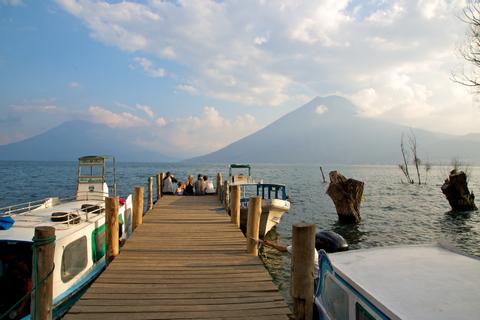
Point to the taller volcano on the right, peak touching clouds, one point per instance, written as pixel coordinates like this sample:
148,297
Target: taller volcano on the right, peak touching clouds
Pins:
328,130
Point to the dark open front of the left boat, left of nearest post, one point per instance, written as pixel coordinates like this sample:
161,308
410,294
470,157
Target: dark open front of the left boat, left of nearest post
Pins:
15,278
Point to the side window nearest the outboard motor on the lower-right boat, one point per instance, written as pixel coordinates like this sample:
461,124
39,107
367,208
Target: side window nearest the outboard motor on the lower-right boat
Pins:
335,299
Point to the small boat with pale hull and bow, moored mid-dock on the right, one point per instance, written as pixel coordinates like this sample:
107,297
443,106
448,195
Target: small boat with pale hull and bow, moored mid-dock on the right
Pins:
274,204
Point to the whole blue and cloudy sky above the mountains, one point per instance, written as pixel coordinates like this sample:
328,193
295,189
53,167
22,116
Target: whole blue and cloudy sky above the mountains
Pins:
202,74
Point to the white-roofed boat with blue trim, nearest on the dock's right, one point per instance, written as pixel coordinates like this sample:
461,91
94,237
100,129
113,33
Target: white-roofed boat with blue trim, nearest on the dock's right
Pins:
404,282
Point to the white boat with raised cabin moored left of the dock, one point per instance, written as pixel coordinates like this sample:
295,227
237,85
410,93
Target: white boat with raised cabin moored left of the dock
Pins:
79,223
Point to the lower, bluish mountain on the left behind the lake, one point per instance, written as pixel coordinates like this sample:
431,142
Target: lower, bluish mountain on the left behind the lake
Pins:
73,139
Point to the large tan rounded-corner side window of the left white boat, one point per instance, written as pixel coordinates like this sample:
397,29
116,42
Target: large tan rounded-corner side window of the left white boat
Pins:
74,259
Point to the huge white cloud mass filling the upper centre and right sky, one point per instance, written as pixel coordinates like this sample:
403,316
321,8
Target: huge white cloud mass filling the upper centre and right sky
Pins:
391,57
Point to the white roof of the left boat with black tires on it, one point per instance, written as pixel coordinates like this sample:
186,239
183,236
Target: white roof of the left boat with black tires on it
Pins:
24,227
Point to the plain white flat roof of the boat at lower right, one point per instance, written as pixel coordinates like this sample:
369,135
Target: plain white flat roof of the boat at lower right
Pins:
414,282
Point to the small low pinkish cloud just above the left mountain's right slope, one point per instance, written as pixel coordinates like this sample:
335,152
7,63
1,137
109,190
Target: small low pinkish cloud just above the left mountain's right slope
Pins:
115,120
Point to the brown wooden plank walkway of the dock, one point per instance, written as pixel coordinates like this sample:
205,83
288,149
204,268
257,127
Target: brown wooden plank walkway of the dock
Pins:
186,261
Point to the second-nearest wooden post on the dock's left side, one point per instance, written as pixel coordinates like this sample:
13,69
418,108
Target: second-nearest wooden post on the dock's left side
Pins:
111,228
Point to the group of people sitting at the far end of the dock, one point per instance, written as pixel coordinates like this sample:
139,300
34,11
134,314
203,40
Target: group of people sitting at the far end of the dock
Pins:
188,187
